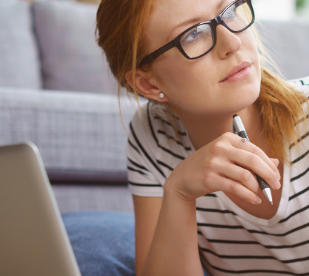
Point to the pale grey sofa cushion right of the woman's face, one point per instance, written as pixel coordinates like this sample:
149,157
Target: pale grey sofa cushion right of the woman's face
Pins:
288,42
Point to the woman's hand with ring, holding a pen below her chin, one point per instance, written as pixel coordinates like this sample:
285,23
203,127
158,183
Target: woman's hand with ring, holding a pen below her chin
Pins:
222,166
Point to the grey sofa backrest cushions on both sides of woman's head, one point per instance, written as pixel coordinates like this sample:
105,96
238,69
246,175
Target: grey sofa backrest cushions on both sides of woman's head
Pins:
61,53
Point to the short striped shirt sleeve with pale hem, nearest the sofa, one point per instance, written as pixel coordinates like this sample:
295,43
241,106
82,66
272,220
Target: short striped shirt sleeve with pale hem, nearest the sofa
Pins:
144,177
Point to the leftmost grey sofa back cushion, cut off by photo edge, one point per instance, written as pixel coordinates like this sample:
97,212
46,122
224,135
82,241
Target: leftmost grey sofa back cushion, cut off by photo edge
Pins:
19,63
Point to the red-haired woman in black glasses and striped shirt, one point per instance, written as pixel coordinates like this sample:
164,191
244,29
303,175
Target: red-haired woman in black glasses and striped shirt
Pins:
197,202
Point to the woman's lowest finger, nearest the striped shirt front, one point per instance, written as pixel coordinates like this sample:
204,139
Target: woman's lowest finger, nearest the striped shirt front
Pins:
233,187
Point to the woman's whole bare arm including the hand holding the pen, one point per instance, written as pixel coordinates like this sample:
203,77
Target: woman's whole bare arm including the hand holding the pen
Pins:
166,233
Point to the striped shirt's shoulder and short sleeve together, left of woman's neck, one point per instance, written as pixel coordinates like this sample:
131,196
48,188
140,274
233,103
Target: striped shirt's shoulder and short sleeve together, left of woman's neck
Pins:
151,154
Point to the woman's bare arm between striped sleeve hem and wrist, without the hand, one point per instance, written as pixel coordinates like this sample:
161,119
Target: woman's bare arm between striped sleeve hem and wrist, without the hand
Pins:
167,226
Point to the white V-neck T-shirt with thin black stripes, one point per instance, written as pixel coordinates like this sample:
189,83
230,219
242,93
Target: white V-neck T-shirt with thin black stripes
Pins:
231,241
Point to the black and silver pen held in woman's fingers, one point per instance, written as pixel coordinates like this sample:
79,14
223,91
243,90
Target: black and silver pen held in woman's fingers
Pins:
239,129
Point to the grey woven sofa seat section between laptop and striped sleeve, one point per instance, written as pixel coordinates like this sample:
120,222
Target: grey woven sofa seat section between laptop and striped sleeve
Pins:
80,135
